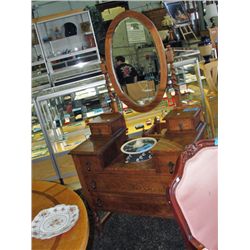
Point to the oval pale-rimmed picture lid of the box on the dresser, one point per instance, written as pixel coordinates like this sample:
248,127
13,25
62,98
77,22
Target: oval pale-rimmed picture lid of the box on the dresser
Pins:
138,146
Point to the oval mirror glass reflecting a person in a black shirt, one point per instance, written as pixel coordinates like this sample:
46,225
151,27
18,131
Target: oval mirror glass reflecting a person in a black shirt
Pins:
135,61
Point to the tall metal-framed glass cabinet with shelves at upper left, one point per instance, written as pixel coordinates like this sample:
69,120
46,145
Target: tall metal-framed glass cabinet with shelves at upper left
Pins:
63,47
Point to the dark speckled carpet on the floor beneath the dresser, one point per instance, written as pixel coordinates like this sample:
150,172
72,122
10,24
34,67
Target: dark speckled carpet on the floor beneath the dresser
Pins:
128,232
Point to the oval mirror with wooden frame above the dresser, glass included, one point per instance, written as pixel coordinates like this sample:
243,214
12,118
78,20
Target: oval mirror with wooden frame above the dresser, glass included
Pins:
136,61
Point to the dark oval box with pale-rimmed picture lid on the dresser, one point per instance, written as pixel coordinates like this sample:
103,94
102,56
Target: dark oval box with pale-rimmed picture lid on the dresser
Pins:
138,150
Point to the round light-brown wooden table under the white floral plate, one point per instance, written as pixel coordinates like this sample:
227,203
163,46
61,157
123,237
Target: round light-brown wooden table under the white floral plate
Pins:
48,194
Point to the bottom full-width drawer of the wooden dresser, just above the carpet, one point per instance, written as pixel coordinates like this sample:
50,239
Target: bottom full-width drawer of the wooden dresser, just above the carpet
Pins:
145,205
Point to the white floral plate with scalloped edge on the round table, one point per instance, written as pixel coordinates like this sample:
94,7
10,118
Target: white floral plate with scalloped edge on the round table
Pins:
54,221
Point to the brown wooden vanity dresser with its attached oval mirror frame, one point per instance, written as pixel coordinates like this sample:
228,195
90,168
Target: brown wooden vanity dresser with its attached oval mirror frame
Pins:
139,188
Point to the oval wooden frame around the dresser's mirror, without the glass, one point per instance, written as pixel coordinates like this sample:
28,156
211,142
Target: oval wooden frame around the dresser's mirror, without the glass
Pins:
161,56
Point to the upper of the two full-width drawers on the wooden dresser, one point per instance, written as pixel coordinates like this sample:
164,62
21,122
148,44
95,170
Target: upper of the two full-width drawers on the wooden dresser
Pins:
128,183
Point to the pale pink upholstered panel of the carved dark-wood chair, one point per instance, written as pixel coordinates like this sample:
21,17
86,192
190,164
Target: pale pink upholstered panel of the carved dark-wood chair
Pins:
196,195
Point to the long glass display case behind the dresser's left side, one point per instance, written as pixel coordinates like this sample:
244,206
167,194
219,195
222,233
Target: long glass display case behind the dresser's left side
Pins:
63,114
